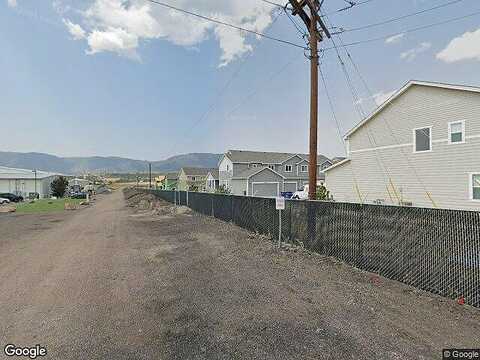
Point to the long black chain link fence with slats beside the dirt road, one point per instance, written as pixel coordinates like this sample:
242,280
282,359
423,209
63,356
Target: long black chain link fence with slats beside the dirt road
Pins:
431,249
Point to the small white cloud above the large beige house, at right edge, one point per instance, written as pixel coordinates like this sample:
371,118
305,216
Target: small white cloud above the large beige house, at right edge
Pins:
465,47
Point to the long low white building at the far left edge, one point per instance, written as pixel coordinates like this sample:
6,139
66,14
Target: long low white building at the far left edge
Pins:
24,182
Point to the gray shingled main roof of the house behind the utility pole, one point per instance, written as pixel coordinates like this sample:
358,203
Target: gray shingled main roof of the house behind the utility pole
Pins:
264,157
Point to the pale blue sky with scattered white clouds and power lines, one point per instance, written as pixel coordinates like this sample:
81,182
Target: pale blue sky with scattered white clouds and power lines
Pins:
134,79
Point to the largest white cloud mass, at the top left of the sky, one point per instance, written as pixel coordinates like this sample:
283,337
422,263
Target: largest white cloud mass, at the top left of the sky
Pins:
120,25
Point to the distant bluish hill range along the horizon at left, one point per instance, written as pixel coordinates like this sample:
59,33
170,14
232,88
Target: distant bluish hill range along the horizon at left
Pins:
78,165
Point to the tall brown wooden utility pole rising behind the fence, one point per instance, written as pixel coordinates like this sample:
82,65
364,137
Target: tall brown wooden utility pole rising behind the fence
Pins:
312,22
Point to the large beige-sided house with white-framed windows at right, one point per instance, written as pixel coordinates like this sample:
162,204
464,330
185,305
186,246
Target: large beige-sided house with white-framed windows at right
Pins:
421,148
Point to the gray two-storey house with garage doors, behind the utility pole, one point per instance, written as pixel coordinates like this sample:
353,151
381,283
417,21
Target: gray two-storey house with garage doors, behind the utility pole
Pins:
256,173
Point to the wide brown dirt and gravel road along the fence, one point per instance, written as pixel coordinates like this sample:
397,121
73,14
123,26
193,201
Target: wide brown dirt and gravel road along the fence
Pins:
111,282
